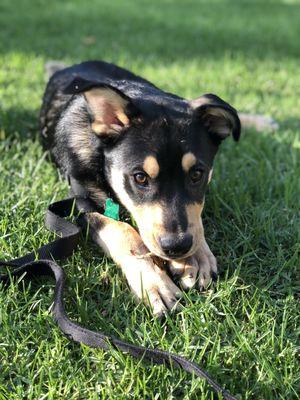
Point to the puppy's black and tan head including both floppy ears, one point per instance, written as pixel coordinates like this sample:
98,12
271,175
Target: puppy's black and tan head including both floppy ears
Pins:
159,166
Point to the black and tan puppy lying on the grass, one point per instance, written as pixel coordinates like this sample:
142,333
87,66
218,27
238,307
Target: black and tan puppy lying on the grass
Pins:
121,137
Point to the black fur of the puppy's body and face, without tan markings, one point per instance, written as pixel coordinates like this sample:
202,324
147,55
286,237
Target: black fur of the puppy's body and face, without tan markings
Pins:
161,123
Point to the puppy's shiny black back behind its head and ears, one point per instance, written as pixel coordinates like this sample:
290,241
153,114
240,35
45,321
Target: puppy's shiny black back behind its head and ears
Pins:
147,96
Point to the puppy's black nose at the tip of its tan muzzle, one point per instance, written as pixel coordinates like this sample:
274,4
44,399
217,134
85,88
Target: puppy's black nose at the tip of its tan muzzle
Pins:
174,245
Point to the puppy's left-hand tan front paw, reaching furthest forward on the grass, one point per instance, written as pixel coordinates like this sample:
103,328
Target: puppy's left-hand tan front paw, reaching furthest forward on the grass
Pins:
152,285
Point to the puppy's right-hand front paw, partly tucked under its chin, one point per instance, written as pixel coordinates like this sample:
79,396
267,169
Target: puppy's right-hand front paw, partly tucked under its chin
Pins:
199,268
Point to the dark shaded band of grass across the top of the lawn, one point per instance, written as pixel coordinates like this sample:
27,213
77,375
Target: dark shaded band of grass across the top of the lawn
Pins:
174,31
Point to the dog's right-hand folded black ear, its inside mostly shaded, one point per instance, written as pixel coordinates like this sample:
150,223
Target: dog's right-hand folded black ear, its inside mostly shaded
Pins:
219,117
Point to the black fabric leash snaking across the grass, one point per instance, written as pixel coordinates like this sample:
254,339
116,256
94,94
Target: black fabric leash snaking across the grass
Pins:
63,247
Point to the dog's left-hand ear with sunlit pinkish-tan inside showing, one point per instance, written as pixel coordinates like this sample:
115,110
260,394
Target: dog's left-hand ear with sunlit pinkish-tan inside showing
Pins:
110,109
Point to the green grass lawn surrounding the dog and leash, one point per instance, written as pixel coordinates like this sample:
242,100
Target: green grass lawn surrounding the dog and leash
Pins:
246,333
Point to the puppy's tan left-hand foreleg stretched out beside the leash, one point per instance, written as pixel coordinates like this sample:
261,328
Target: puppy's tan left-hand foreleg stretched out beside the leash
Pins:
124,245
